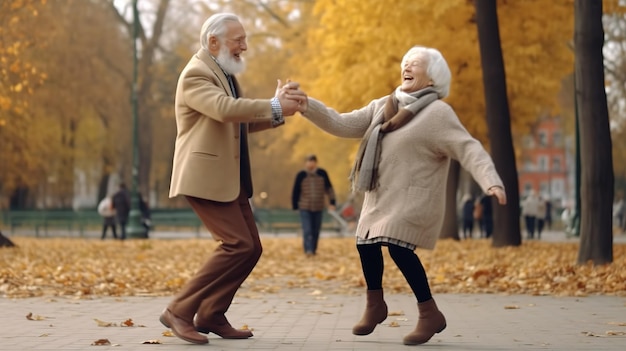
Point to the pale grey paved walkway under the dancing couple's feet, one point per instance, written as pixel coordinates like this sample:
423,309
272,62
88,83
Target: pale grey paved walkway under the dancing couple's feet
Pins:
310,320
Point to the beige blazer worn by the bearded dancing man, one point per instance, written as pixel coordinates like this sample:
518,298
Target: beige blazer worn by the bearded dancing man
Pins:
207,151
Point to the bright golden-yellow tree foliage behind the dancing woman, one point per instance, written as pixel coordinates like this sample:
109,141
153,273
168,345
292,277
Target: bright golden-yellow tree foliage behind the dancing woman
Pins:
353,56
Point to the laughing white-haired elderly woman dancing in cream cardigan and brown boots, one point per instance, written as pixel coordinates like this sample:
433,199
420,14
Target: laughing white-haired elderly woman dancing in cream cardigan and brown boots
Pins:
407,141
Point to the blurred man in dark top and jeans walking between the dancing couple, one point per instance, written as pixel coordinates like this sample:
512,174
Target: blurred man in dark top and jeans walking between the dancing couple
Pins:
310,187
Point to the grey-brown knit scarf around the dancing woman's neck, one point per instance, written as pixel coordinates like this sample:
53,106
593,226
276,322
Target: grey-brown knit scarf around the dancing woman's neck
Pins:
364,174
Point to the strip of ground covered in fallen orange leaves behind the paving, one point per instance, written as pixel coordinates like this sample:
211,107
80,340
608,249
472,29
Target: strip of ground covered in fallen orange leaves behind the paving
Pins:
92,268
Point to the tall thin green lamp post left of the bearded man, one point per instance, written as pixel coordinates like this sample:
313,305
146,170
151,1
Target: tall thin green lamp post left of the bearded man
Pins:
135,228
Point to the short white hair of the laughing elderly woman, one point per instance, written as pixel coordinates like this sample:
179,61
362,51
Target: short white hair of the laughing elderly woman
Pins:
437,68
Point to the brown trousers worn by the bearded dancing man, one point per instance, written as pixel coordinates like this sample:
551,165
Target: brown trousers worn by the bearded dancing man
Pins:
210,292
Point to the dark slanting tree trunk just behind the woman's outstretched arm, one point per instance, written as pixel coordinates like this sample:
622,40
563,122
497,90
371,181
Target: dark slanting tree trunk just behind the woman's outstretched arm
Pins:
506,218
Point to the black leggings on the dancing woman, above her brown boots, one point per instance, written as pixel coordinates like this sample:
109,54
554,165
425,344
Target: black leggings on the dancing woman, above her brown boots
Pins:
407,261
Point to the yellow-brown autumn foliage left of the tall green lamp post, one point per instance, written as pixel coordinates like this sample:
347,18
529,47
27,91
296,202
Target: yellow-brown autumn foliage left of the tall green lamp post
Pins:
61,100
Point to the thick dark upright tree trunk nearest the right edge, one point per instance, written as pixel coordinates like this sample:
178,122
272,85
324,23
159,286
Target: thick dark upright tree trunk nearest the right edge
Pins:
596,226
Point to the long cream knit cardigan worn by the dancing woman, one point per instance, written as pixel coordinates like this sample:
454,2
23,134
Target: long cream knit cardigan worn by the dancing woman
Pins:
409,202
